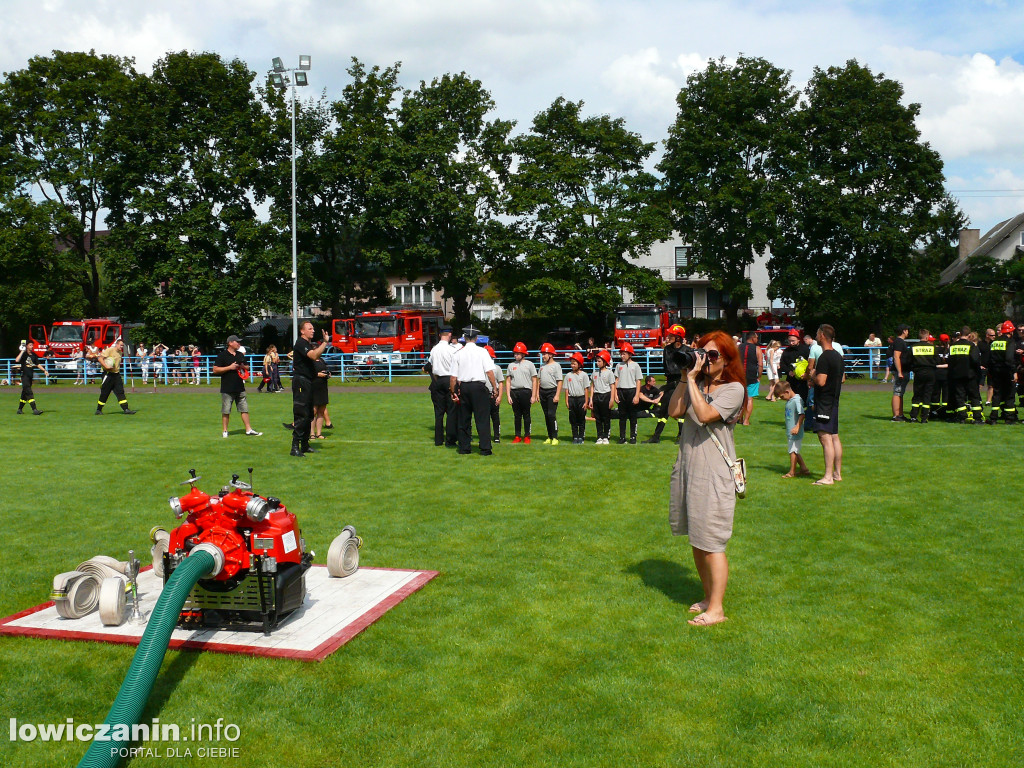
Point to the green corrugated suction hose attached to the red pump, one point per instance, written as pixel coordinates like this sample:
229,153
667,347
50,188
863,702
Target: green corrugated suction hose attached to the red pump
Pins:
136,690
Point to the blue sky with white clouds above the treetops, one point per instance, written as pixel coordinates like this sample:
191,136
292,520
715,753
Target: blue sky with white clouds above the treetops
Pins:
963,62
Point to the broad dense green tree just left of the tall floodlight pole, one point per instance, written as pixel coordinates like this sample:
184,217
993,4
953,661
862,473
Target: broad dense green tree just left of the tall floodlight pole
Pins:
188,253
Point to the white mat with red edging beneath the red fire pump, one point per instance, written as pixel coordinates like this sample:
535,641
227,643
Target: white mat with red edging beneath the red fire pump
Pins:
335,611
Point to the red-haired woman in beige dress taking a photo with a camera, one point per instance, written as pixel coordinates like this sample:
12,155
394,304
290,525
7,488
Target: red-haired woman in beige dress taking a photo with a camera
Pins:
703,494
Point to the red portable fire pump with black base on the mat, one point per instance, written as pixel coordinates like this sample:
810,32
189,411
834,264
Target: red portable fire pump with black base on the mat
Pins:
263,580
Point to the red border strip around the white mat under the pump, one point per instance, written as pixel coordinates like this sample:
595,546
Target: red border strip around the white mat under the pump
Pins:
319,654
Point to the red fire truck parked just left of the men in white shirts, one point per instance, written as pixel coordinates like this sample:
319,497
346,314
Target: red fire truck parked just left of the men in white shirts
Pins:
402,336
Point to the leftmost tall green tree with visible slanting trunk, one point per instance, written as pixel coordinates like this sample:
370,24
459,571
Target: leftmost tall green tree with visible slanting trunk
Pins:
54,122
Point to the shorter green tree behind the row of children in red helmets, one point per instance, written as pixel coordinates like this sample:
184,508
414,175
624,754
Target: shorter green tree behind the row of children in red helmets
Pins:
586,210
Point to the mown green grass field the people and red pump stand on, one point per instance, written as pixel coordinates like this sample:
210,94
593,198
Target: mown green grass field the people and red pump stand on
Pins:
877,623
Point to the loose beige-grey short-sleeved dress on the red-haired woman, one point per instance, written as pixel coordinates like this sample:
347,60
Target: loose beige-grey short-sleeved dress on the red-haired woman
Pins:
703,496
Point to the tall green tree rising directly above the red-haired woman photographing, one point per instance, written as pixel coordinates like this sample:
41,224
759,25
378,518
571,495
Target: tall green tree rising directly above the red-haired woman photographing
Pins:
727,169
